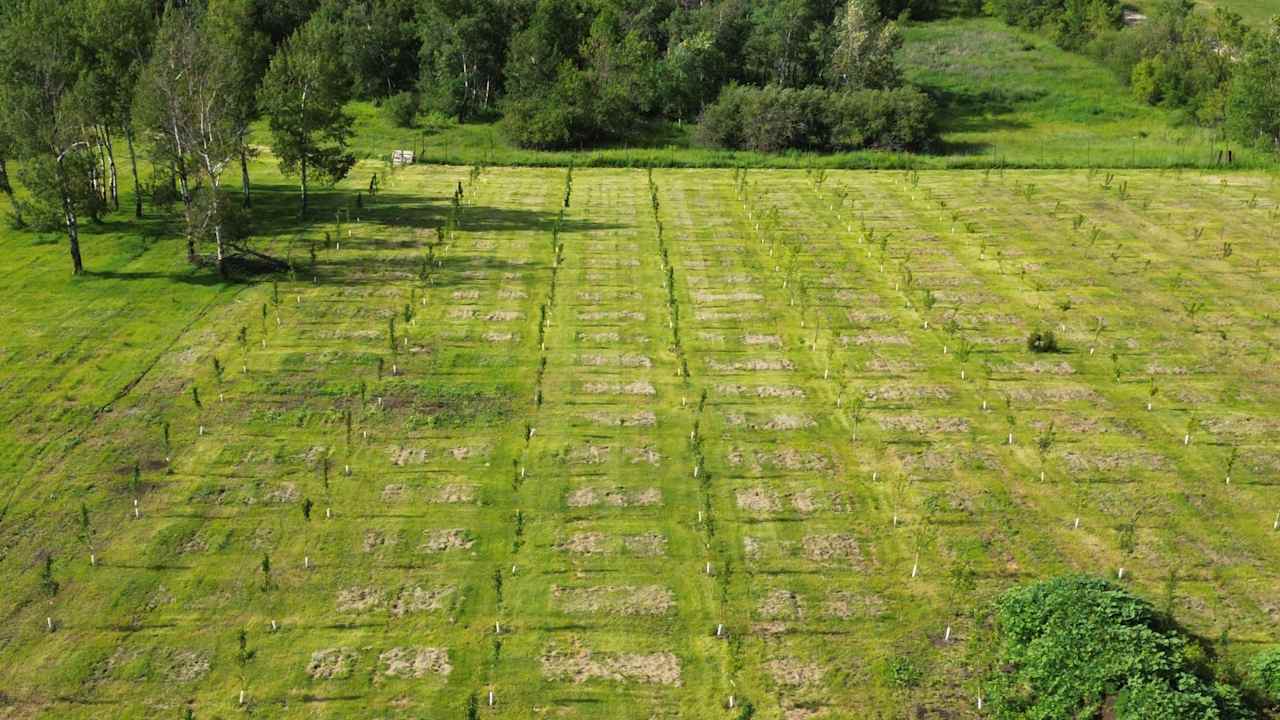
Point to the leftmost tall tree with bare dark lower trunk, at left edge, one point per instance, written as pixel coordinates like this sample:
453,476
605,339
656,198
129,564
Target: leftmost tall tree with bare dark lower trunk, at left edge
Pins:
38,80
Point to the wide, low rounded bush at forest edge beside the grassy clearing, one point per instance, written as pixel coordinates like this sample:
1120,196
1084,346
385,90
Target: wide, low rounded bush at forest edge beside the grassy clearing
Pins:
775,119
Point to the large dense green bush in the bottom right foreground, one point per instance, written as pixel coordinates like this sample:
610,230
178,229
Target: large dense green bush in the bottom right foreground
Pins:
1076,645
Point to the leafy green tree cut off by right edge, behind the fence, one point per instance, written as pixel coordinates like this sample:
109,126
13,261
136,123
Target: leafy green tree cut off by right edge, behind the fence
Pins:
1254,107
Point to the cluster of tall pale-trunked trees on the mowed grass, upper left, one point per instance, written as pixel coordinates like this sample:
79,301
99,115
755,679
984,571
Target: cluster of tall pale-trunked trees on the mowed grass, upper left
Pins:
180,85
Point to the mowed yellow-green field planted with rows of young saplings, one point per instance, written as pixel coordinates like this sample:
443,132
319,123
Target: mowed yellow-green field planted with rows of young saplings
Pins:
561,485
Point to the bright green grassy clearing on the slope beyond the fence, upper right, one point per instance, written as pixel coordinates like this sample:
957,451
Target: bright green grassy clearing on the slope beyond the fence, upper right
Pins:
1013,95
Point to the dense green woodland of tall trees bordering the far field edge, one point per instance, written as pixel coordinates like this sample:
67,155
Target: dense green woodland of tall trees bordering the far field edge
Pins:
86,84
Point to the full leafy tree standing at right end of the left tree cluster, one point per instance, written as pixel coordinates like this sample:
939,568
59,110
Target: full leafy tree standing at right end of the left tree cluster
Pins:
303,97
